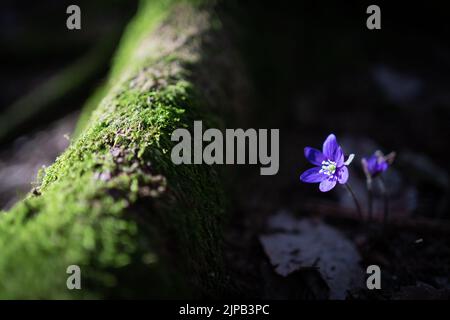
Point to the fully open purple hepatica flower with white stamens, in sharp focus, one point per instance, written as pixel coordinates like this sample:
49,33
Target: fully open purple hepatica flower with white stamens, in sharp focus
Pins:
330,166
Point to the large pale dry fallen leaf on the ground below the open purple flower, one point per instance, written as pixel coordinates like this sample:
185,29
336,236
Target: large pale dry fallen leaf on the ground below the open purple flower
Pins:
306,243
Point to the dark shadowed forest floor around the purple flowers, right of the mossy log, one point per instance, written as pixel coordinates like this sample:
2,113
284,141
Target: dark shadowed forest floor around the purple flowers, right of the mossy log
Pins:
384,91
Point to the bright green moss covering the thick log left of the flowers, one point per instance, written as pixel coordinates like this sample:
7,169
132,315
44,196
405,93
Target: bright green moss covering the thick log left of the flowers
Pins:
115,204
